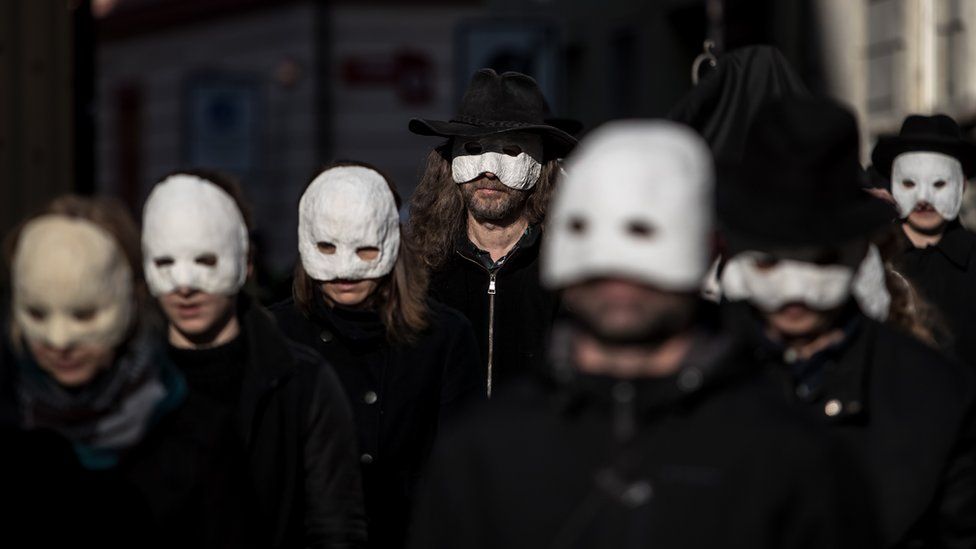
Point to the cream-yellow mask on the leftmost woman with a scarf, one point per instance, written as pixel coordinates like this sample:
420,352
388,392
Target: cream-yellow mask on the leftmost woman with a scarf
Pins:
72,285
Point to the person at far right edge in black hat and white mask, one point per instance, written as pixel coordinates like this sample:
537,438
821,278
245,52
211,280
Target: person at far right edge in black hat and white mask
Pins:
927,165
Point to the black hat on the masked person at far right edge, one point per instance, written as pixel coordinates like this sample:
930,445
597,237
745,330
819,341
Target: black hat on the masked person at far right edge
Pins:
938,133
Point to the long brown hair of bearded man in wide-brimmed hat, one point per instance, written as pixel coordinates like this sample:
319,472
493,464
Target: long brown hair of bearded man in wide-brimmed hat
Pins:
437,214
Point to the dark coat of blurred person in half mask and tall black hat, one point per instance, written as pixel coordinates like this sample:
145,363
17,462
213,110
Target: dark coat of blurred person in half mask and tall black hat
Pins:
906,412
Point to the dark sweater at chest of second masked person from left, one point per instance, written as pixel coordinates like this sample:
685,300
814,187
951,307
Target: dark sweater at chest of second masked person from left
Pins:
217,372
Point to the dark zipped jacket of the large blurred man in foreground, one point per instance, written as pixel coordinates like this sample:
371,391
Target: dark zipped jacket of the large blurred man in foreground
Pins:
709,457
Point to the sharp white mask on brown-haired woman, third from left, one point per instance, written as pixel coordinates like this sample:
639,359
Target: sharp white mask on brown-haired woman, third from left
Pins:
346,210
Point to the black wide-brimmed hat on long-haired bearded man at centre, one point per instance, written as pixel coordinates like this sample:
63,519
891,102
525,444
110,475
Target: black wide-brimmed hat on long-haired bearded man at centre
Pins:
498,103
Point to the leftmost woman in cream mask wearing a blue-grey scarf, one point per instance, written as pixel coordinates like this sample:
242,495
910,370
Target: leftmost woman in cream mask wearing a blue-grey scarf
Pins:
153,463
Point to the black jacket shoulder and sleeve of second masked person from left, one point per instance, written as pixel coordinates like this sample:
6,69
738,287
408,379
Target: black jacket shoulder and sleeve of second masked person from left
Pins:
298,429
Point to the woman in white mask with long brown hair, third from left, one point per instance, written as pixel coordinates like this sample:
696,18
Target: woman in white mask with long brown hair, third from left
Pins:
360,300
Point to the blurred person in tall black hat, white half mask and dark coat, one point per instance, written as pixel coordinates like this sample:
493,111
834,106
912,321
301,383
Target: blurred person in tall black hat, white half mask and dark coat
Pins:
798,227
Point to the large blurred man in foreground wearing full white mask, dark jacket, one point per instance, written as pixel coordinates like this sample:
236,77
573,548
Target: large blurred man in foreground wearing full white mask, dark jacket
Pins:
654,429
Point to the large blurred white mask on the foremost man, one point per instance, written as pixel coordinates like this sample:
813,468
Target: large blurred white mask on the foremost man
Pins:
636,203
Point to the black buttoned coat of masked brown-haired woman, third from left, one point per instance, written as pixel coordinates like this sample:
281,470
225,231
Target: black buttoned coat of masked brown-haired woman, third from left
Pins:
400,395
